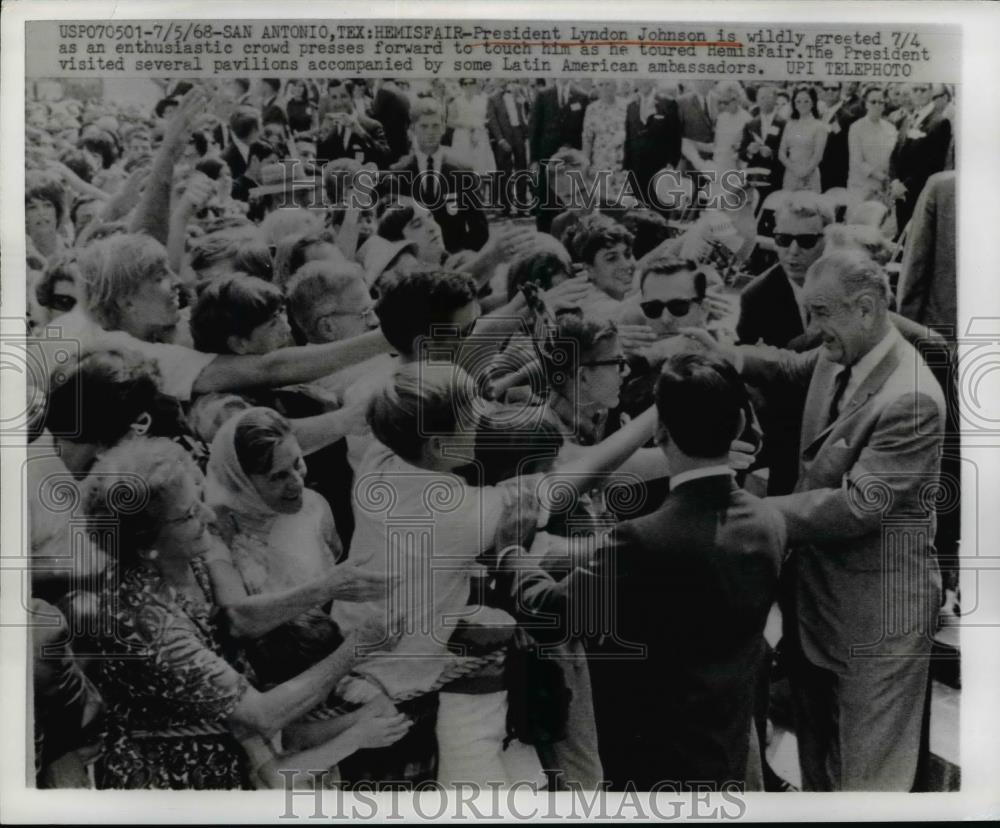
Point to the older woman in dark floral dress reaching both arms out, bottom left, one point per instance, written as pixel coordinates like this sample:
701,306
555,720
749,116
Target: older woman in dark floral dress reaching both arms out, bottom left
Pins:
182,710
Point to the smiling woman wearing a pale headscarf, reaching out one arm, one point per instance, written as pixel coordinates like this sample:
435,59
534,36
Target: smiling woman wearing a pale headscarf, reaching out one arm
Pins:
283,546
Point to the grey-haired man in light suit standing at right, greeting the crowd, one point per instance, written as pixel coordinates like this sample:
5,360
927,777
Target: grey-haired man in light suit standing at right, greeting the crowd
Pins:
865,580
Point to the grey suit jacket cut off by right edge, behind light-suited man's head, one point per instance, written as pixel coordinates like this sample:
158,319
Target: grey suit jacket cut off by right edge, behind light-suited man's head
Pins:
927,279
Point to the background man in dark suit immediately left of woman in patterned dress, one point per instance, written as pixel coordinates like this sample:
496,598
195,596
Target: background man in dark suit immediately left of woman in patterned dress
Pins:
556,121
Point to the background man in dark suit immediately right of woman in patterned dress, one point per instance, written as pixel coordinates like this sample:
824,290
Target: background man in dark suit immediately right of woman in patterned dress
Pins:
652,137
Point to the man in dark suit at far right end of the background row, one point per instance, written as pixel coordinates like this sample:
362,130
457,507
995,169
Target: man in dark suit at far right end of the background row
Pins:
921,147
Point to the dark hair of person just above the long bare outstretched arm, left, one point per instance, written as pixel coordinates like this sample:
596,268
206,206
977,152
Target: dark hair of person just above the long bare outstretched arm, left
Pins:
232,305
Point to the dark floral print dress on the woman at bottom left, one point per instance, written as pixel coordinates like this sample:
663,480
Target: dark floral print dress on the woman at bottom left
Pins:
169,682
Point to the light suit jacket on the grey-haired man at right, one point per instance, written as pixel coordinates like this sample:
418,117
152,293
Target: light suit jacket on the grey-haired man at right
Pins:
861,519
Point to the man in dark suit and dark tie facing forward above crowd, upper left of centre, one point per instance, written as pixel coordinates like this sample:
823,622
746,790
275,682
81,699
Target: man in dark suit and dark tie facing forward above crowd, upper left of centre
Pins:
448,188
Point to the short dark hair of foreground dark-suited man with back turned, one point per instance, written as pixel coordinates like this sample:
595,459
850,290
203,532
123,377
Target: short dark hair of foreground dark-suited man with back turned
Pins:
699,399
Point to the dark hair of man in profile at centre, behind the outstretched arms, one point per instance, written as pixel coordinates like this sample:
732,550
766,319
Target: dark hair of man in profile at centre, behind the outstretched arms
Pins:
413,305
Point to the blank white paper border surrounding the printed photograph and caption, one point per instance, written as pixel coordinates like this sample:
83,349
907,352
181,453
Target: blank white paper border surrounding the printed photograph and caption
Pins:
979,223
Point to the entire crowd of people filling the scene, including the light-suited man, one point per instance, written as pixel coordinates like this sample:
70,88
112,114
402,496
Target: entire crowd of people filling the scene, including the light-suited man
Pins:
375,471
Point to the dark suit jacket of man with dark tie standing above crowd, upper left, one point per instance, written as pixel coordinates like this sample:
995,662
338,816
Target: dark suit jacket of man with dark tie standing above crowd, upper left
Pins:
460,216
